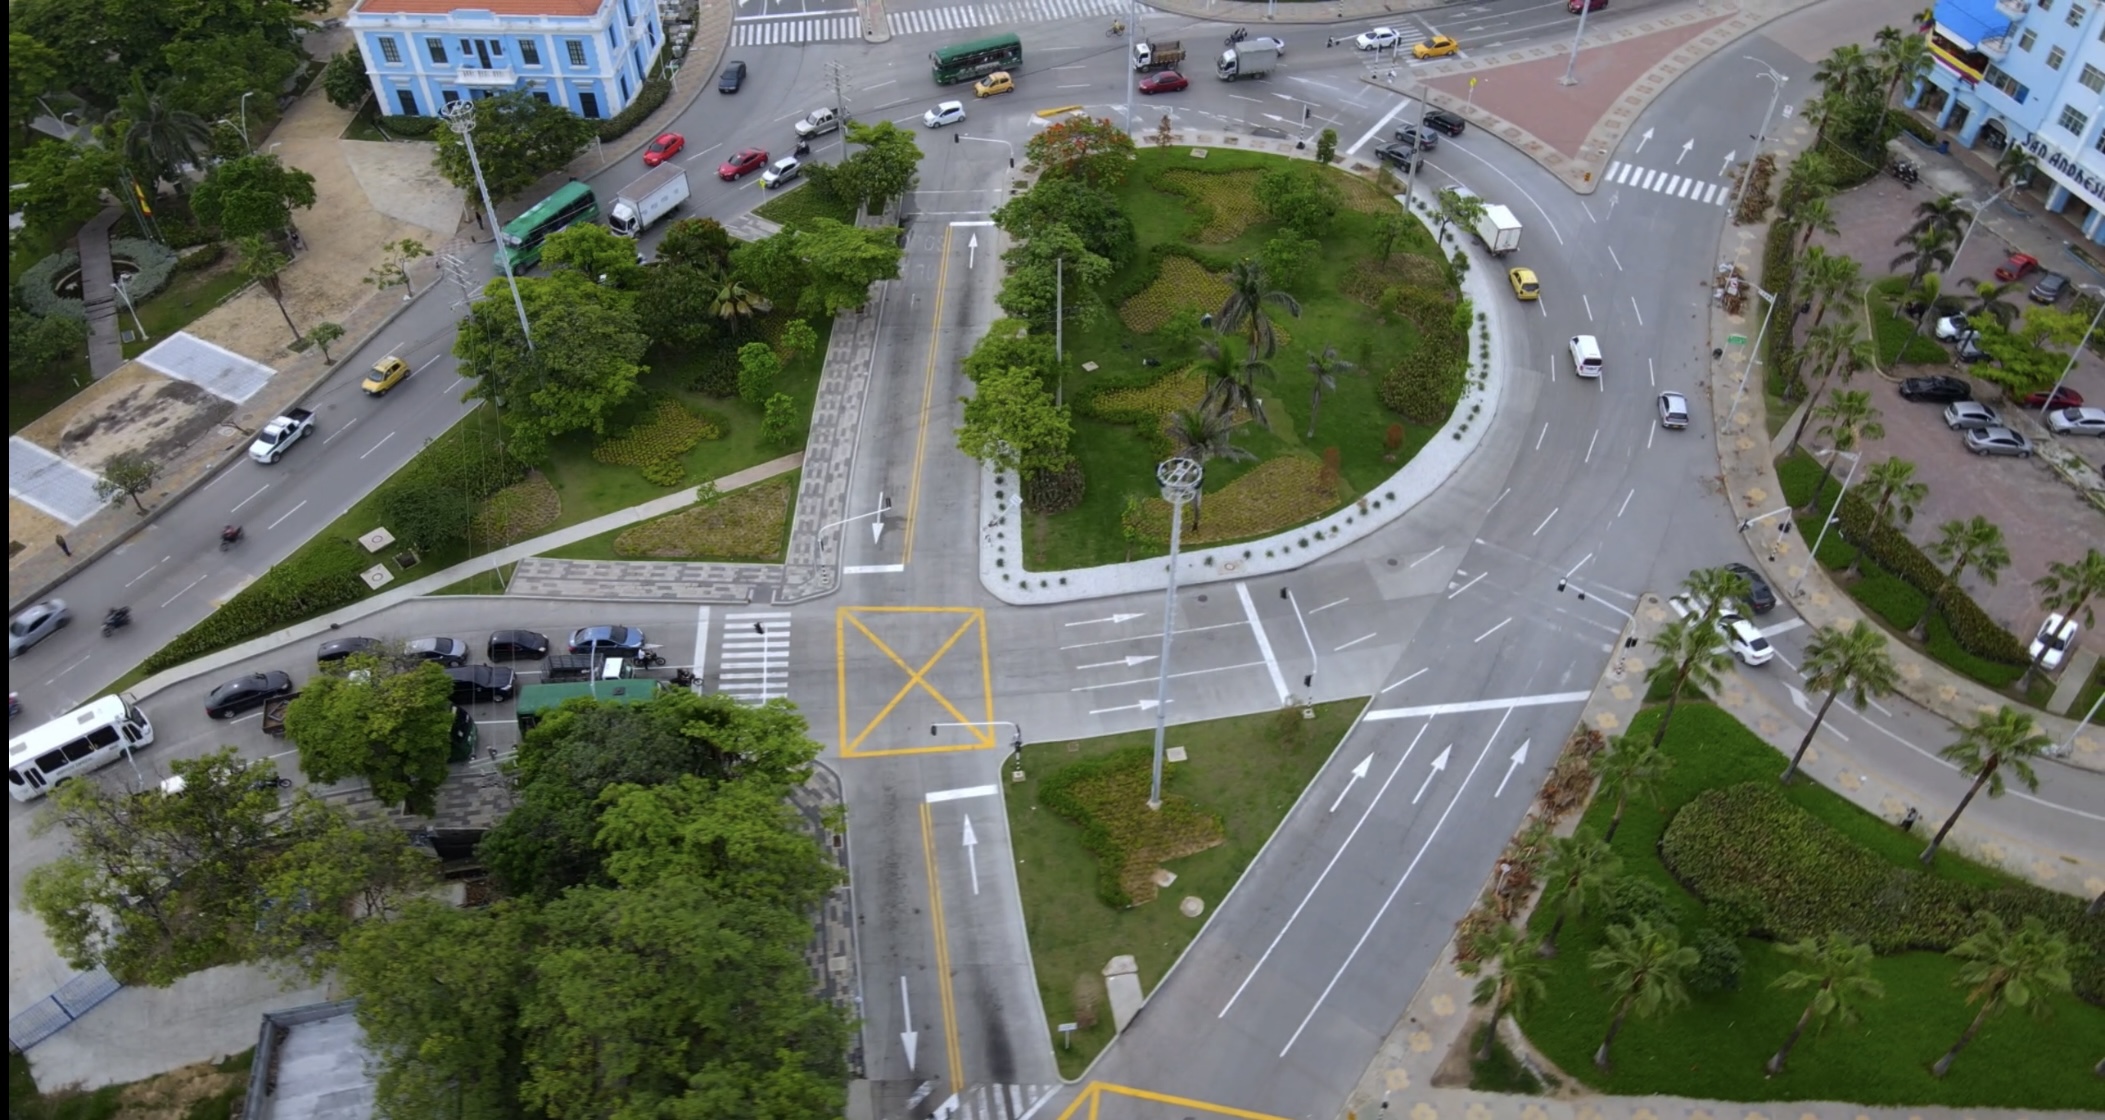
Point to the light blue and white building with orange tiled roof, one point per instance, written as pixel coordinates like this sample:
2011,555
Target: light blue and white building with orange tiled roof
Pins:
586,56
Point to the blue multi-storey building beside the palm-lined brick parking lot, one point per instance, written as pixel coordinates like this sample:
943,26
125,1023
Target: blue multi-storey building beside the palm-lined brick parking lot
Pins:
2028,73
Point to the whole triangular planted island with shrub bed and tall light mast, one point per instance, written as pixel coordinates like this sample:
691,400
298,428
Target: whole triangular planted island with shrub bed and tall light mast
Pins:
1089,849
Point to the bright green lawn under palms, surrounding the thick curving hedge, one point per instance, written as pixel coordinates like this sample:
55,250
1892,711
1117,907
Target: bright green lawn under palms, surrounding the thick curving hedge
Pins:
1717,1045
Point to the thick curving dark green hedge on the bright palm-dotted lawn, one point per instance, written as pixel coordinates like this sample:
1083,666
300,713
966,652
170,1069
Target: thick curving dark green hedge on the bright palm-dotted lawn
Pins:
1750,854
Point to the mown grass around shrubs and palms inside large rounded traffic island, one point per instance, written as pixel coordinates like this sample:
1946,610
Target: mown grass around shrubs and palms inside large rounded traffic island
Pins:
1121,460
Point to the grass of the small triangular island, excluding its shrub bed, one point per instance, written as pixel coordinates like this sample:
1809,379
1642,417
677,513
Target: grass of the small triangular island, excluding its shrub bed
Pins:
1247,769
